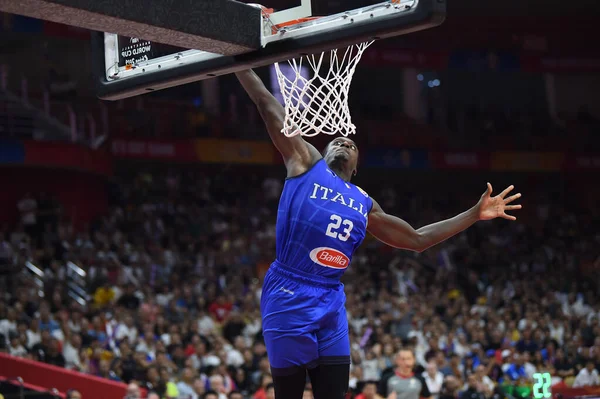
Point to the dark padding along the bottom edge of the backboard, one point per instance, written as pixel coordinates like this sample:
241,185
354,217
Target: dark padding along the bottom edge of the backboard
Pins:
426,14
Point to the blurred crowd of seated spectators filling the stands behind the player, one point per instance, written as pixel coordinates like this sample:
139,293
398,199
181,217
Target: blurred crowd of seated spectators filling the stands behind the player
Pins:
174,272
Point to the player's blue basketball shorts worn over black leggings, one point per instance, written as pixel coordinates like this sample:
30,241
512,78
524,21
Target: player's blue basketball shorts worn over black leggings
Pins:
304,320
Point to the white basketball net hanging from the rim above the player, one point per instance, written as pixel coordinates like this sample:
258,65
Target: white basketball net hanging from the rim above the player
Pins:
320,104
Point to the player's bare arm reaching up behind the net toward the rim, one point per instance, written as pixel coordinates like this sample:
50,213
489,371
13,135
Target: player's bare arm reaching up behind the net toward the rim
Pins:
298,155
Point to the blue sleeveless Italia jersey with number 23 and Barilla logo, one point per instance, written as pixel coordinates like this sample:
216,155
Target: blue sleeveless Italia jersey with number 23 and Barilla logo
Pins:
321,221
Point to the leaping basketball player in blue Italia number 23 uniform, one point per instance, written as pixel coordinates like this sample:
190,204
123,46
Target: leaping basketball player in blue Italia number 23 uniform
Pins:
321,221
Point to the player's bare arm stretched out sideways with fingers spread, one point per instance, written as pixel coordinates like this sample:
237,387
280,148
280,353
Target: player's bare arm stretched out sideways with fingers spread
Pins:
399,234
